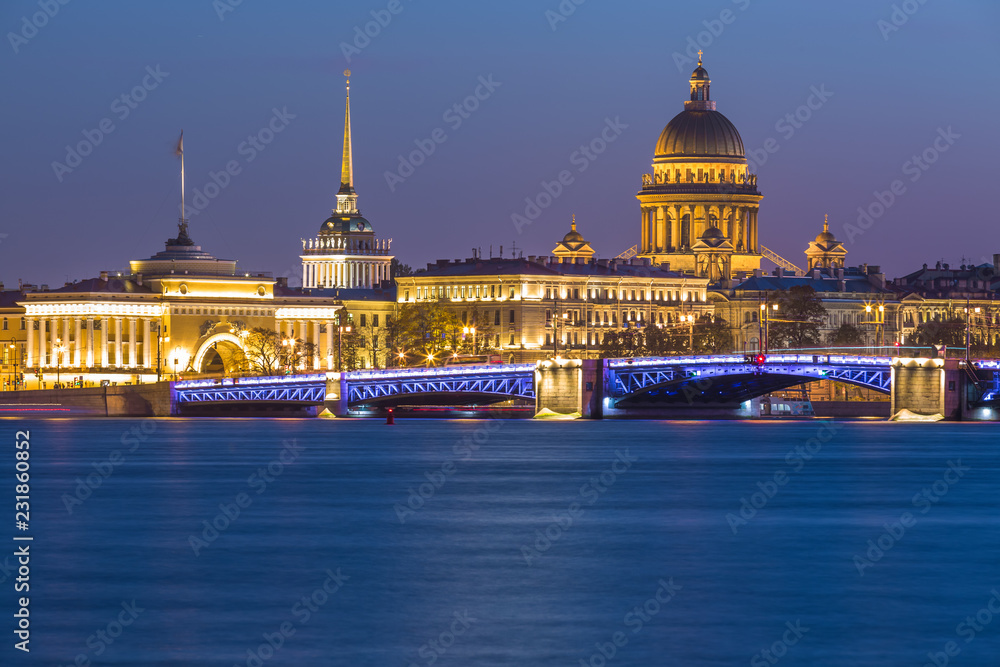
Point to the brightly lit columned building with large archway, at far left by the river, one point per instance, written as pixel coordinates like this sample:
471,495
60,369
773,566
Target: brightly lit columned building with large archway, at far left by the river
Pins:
180,312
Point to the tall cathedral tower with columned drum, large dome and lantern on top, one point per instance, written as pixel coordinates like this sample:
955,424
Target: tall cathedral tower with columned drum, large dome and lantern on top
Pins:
699,205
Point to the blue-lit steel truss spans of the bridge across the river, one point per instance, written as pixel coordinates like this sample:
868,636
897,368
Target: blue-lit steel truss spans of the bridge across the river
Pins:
624,383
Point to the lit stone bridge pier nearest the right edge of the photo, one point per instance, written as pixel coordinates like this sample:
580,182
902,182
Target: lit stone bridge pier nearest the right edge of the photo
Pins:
927,386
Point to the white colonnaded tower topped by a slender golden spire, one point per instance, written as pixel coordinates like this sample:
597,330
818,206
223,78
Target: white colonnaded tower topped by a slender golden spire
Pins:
346,253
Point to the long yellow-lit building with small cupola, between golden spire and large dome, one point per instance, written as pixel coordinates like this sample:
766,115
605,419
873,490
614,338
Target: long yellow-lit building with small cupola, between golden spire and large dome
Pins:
539,306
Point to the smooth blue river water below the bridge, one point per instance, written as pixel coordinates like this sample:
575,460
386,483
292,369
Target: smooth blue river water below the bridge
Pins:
533,543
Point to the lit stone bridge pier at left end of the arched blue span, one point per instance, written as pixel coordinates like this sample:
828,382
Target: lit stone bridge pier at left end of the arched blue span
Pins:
568,388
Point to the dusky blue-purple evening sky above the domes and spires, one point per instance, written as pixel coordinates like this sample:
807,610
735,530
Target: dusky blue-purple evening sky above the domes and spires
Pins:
891,91
